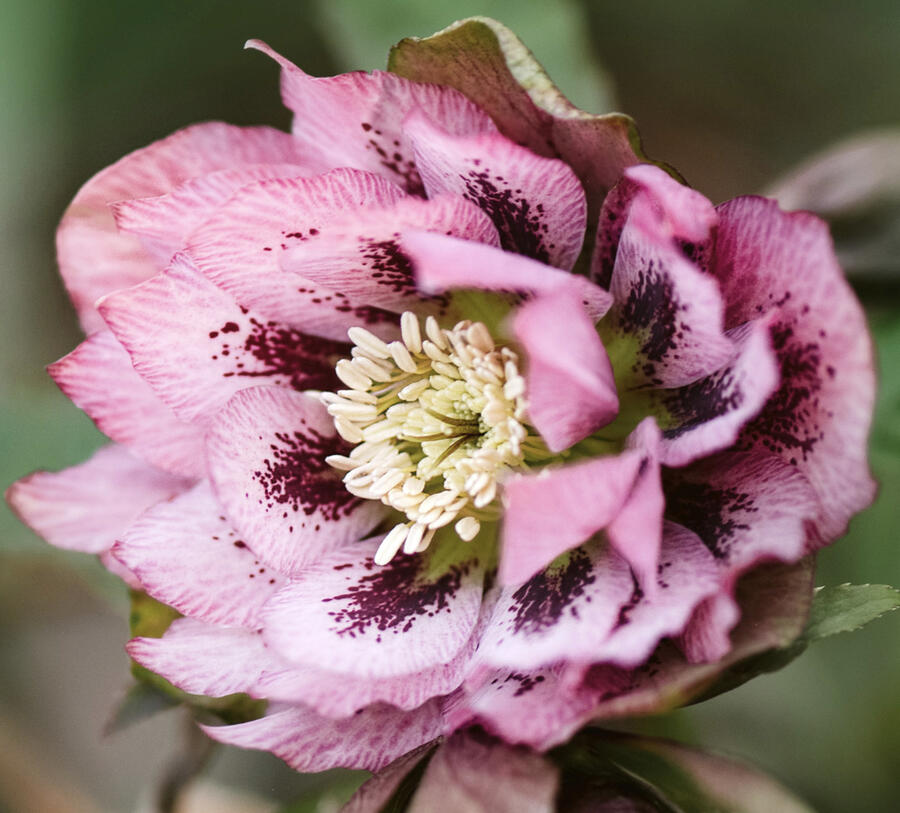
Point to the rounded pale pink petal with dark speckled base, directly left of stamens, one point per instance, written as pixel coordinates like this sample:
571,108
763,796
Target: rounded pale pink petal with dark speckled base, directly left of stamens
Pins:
266,455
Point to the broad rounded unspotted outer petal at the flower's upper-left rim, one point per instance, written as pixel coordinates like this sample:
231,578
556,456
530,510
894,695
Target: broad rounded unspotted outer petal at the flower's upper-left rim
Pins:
94,257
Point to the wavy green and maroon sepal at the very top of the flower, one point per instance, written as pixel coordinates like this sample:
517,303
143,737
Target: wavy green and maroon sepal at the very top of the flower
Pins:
488,63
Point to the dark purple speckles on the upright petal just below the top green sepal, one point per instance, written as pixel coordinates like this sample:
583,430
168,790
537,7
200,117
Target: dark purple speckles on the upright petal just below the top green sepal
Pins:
520,224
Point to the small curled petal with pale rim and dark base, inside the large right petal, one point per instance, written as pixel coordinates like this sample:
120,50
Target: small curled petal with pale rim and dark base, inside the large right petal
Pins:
708,415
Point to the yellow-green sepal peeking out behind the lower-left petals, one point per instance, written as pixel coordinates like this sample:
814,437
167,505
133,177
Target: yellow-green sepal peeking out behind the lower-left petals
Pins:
150,618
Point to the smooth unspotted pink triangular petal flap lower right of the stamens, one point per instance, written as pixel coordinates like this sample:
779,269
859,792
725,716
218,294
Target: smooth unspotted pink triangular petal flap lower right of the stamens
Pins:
550,512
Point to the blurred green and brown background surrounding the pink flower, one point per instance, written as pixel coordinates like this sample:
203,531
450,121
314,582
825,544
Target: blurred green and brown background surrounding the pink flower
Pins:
732,92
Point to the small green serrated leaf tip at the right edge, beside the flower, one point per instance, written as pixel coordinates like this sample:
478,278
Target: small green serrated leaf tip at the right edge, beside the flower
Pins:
848,607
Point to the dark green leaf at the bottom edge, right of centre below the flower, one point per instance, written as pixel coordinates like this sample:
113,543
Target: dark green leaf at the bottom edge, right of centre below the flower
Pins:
653,774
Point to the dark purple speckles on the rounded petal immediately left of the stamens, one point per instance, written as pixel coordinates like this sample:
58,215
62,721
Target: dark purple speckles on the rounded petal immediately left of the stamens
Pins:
295,475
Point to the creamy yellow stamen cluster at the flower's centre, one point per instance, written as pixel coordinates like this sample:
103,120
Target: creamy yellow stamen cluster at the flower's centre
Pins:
437,418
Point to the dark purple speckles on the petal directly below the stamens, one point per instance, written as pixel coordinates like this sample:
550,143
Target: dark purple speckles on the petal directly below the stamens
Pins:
392,597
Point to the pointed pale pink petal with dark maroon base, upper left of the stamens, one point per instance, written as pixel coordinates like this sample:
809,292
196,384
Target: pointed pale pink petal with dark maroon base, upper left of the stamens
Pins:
196,347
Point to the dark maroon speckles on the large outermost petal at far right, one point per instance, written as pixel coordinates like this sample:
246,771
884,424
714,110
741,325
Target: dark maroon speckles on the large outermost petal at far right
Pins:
788,423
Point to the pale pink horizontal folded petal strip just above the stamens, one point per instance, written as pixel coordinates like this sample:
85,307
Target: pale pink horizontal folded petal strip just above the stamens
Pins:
442,263
